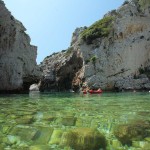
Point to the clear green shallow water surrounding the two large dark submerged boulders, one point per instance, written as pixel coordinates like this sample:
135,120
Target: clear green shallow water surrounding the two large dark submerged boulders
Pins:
30,121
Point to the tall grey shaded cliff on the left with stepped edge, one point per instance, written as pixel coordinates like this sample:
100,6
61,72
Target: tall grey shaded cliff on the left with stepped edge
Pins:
18,67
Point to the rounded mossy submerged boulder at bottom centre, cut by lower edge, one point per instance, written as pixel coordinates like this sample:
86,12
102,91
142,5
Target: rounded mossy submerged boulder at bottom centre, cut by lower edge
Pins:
83,139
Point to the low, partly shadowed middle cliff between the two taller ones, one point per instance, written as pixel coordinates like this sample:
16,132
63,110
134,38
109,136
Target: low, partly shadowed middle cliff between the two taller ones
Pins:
59,70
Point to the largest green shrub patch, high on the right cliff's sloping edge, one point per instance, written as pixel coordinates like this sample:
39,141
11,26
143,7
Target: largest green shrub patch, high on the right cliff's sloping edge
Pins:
99,29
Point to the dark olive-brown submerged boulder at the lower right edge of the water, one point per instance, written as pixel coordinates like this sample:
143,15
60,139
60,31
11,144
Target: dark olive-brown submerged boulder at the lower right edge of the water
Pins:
136,131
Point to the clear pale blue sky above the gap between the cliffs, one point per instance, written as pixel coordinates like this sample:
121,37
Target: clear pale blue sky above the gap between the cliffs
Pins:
50,23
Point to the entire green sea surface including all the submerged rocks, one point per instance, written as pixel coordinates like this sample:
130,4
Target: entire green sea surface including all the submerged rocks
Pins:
67,121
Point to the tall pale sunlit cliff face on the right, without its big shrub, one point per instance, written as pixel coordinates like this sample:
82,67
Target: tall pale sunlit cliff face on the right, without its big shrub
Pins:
116,60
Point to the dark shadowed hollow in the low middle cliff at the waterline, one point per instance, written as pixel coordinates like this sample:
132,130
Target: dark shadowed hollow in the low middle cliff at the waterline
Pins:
63,74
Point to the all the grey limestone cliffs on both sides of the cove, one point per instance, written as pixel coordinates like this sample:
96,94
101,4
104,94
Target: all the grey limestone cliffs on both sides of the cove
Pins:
111,54
